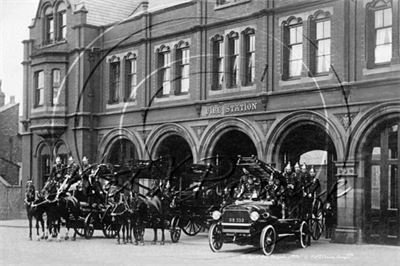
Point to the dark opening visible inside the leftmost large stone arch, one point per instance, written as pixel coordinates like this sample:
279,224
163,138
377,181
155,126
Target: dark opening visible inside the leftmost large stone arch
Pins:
122,151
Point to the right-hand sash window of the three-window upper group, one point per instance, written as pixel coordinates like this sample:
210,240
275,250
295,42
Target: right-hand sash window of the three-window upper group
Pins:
250,57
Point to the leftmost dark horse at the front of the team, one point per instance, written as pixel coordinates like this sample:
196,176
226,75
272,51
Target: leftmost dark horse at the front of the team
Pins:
35,208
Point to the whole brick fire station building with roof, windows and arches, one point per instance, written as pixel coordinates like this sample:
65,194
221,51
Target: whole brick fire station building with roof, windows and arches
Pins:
285,80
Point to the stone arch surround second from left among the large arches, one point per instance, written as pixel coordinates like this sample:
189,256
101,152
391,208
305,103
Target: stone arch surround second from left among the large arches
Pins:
166,130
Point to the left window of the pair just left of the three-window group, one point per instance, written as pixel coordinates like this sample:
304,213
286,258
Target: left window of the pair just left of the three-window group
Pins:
164,71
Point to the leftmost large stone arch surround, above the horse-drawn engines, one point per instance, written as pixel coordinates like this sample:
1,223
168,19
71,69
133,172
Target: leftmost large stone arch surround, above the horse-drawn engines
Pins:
116,134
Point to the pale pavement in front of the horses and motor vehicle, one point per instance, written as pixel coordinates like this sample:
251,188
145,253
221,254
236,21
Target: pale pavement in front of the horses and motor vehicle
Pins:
16,249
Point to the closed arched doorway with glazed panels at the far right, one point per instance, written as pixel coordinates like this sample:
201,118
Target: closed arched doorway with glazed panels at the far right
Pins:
382,199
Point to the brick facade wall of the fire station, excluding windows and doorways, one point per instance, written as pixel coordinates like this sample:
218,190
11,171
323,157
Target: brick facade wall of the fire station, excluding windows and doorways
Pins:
350,92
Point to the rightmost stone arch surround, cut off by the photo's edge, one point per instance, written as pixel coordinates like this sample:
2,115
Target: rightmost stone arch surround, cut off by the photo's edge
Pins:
365,124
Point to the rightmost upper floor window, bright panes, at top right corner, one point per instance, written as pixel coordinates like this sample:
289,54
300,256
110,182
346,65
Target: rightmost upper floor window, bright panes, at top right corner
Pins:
379,31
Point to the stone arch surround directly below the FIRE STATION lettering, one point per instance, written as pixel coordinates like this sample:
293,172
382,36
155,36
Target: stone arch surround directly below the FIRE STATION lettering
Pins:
214,132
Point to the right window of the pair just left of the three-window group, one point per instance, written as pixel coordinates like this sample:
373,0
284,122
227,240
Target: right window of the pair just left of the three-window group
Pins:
183,67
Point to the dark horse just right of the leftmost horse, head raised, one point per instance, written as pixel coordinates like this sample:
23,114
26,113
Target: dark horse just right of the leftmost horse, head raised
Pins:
61,205
